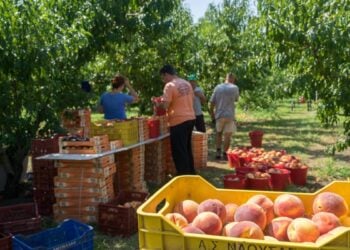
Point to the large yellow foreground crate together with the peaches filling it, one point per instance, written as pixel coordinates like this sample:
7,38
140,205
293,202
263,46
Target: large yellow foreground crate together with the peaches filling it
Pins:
201,215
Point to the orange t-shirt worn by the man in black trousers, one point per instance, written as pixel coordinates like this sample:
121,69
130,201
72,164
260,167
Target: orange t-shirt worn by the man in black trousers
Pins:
179,94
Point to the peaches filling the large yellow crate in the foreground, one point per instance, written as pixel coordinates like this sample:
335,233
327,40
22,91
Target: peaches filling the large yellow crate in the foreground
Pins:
283,219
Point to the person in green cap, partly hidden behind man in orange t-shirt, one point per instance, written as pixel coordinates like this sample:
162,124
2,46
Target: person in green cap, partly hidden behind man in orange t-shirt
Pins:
199,100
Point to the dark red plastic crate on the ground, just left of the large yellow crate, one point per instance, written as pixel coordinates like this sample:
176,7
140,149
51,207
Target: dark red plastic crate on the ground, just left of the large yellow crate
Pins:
115,219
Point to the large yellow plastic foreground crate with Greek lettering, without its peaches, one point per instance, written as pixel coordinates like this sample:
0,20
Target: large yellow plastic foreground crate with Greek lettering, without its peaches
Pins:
155,232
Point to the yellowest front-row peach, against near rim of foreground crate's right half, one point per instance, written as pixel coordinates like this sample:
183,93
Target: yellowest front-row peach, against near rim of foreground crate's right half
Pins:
302,230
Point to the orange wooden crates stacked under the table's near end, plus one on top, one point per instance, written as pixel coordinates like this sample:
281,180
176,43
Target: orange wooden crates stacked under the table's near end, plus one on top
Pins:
81,185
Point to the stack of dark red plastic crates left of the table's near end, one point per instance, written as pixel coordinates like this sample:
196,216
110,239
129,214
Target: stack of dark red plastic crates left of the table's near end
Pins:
44,172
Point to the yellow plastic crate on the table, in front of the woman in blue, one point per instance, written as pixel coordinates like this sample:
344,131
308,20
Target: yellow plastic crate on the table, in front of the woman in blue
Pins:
127,130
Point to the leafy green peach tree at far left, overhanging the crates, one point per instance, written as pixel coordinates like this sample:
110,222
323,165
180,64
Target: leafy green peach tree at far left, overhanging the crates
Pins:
44,45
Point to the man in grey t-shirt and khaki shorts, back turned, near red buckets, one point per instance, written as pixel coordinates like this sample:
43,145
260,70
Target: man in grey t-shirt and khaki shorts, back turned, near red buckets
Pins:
222,110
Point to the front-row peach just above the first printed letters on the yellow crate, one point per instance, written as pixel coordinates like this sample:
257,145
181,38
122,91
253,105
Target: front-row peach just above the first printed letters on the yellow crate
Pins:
208,222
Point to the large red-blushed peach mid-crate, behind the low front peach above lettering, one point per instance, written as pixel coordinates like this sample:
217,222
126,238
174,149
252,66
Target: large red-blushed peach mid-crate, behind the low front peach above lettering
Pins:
251,212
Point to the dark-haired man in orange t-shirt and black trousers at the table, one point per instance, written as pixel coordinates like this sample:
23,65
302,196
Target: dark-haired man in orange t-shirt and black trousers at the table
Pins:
178,100
